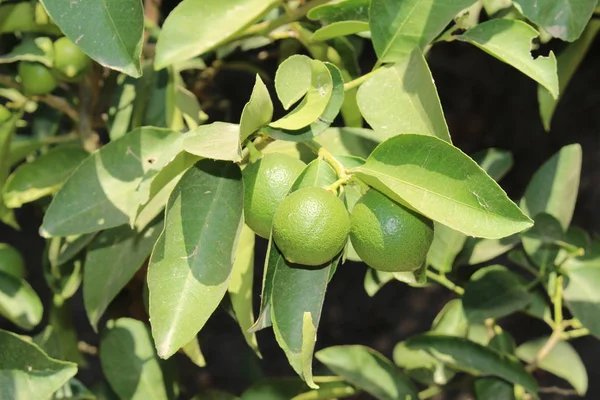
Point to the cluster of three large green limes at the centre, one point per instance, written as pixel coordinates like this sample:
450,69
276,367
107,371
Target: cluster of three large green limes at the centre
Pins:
311,225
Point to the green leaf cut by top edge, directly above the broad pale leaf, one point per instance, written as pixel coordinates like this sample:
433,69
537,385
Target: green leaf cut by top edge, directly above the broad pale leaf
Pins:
397,27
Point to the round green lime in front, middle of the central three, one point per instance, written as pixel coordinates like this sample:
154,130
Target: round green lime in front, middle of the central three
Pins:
311,226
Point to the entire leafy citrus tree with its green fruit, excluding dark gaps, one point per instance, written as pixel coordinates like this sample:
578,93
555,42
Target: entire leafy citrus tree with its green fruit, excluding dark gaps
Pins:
152,211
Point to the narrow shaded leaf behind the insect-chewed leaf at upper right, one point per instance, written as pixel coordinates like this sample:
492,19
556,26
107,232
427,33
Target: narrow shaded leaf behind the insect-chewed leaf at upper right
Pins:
568,61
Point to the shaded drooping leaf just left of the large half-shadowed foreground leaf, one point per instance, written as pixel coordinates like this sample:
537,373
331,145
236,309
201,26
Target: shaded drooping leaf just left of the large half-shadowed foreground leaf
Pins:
111,261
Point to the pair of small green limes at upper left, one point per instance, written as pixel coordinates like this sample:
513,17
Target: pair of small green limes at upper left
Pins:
70,64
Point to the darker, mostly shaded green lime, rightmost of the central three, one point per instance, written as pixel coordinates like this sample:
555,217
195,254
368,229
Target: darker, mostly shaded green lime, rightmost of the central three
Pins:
387,235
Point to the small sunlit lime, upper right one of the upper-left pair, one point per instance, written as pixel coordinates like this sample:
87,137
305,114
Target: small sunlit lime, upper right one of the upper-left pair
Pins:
70,62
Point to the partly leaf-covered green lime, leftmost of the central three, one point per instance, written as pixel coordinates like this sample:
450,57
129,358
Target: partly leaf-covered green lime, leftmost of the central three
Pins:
266,183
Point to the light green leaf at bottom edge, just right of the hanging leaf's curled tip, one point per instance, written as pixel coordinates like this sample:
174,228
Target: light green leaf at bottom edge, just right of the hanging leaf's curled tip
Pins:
368,370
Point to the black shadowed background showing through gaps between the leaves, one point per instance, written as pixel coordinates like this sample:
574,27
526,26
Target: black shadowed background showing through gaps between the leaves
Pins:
487,104
